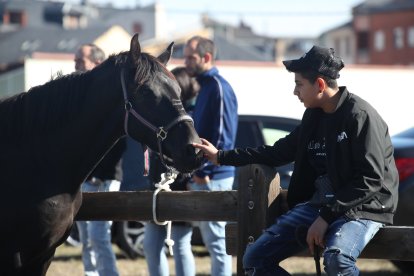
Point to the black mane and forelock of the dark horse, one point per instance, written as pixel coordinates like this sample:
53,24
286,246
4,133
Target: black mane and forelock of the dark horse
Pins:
49,106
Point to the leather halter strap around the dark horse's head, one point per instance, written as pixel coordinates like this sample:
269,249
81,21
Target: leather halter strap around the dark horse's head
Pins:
161,132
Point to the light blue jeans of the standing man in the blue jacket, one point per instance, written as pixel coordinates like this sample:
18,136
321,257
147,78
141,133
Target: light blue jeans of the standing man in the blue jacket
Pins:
213,232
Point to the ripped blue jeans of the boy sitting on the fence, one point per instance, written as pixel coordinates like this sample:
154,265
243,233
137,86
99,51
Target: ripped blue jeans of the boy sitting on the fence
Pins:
345,239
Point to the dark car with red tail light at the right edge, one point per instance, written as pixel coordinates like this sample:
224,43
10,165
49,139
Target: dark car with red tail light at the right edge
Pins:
404,158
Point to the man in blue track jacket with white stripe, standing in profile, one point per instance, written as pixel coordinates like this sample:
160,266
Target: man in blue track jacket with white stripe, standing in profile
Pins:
215,118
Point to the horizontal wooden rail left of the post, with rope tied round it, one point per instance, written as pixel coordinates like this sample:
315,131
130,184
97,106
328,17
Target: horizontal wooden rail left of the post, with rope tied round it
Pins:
182,206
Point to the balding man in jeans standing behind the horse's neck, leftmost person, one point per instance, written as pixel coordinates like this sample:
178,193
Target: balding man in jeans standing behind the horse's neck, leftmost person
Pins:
95,236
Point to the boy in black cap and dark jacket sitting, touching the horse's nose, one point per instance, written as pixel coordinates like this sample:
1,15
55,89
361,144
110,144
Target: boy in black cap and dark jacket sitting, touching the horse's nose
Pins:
344,186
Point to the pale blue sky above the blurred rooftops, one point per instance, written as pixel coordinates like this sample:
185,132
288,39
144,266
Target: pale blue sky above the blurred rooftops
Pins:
268,17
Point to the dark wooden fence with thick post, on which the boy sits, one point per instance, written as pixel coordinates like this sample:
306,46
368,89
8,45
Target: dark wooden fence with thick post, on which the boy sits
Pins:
250,209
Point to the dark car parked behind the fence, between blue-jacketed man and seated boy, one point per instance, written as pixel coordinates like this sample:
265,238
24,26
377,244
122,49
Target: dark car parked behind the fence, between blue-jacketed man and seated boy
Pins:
253,130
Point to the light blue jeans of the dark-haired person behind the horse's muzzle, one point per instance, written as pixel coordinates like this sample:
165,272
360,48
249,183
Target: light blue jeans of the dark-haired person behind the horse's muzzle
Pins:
154,249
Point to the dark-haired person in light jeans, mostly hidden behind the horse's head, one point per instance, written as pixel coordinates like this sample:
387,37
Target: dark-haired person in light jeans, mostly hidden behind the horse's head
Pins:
181,232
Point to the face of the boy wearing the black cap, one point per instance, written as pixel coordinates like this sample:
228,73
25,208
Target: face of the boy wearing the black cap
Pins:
308,93
